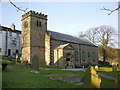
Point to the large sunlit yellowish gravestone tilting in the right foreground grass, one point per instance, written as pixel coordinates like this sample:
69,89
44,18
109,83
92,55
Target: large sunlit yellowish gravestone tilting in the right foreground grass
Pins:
91,78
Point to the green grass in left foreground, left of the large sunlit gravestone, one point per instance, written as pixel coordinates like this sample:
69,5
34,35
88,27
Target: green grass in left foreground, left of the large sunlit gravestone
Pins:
17,77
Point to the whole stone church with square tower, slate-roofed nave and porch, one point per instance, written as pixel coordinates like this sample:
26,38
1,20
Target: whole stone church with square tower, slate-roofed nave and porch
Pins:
53,48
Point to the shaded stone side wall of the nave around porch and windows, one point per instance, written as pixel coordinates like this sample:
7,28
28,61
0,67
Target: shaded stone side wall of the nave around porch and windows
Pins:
79,48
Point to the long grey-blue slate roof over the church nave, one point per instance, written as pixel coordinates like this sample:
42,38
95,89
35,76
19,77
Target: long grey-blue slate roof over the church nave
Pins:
69,38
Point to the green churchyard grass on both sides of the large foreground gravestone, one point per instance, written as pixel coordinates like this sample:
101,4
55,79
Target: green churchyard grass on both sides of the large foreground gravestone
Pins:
17,76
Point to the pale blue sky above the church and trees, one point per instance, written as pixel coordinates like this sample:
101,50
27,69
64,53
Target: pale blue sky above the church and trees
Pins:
65,17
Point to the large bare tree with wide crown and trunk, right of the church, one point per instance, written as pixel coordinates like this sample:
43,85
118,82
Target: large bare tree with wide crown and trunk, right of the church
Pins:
104,36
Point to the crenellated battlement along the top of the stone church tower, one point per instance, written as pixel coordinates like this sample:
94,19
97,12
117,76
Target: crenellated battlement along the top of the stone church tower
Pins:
34,14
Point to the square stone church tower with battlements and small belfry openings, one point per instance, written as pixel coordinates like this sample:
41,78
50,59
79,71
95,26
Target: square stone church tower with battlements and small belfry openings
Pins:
34,26
